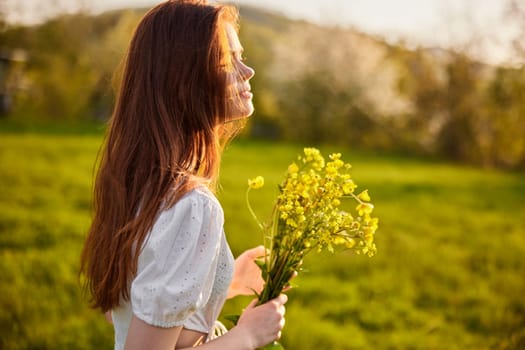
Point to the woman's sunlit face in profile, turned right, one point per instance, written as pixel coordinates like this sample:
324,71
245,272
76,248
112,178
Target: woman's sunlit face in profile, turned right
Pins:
239,104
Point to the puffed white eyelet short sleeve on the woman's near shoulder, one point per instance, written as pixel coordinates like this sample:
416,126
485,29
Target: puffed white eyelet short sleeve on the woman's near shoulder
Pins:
178,262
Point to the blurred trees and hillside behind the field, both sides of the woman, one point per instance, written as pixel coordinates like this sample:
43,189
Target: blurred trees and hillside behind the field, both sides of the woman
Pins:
313,85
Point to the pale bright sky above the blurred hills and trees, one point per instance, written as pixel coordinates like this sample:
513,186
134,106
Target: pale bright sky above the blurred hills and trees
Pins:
480,24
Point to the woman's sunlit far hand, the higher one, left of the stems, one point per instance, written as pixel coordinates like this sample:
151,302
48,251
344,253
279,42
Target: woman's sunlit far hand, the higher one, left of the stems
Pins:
247,277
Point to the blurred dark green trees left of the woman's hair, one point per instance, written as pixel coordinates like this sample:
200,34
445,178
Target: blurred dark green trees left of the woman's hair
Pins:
71,60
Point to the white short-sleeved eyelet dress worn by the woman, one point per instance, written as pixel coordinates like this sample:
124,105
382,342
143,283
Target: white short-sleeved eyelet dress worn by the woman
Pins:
184,269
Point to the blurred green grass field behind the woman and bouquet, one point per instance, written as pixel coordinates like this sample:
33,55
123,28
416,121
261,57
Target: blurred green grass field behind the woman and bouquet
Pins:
449,274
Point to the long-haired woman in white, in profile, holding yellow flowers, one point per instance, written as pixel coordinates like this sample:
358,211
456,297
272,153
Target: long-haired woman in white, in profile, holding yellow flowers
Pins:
156,256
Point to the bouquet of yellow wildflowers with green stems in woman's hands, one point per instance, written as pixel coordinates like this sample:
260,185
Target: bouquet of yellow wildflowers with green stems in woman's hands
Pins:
307,216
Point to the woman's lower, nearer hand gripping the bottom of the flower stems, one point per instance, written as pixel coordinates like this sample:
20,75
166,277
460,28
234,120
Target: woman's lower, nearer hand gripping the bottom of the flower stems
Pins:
263,324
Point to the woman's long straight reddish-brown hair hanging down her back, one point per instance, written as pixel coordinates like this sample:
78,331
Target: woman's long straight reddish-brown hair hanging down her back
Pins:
164,137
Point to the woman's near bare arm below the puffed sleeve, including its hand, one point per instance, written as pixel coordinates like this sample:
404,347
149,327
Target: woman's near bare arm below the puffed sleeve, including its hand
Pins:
257,326
